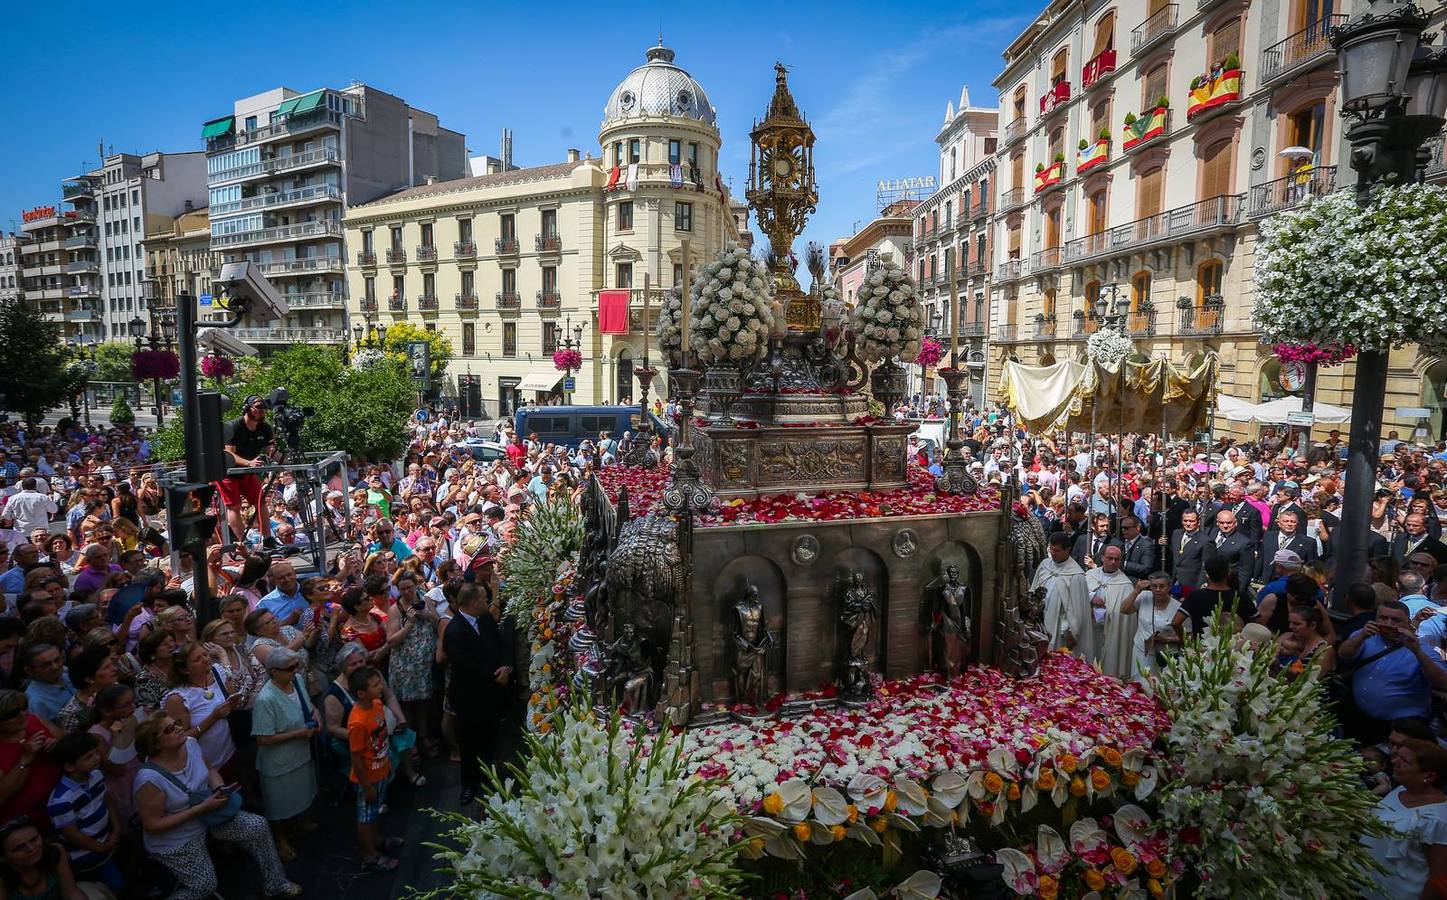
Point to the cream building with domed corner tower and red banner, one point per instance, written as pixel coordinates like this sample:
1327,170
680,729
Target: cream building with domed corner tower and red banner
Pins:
510,264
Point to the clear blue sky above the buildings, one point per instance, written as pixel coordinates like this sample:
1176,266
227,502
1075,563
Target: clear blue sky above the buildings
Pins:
873,79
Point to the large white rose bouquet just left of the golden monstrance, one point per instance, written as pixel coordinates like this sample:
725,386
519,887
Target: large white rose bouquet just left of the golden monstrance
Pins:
731,313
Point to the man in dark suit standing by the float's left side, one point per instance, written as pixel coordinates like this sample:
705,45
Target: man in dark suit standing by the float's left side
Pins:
477,653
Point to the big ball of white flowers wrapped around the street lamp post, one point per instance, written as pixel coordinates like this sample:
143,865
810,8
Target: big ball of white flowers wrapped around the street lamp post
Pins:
1375,279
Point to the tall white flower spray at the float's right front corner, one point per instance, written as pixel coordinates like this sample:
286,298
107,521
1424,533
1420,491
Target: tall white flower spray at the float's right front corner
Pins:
1263,801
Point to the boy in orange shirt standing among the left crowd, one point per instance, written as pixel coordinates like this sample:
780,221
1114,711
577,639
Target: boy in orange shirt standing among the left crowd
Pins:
371,768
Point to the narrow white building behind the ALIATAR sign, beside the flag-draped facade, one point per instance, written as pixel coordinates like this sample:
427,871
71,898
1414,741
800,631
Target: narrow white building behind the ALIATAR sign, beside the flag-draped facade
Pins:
953,229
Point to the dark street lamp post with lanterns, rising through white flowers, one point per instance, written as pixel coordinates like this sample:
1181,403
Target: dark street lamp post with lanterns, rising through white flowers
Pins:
1394,90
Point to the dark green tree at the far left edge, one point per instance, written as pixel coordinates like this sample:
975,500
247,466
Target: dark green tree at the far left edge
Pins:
37,370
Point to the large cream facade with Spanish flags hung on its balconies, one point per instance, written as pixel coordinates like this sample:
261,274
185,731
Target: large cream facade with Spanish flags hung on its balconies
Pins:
1144,145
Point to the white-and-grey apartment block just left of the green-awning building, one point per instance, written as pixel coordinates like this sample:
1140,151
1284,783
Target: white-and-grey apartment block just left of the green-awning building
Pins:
115,206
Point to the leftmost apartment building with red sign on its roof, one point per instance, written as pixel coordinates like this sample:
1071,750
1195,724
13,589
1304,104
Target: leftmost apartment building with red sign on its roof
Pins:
59,270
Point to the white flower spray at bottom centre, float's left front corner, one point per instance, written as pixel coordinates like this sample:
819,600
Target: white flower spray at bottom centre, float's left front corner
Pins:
595,814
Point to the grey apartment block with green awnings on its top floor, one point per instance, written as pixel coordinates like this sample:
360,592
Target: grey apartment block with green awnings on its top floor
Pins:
284,167
